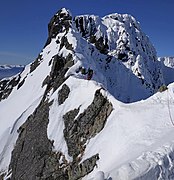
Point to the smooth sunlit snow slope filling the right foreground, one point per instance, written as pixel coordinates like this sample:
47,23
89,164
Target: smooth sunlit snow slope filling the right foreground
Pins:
137,140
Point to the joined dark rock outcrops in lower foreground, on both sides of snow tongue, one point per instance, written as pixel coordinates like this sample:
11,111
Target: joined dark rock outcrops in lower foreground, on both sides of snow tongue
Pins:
35,149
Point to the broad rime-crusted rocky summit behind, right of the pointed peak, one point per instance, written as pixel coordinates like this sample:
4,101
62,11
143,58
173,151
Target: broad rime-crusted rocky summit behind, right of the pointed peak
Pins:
120,37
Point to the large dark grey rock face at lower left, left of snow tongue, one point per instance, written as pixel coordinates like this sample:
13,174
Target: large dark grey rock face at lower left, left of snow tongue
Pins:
32,157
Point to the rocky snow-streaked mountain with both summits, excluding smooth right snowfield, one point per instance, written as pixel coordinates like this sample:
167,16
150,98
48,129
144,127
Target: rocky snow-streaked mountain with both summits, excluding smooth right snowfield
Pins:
62,112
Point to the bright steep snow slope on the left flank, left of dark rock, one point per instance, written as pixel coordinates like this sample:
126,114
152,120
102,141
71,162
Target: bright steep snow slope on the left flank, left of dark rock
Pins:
19,105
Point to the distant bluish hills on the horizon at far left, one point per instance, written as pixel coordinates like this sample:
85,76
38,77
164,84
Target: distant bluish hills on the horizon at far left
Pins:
9,70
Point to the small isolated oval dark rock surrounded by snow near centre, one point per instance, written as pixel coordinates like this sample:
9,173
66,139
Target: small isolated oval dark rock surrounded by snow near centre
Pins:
63,94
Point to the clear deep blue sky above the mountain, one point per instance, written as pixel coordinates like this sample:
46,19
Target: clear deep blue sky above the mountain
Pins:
23,23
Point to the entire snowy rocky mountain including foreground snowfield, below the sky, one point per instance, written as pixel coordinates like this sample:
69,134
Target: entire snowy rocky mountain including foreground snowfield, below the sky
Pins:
96,104
